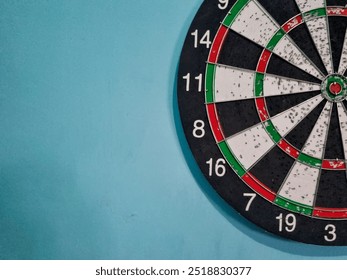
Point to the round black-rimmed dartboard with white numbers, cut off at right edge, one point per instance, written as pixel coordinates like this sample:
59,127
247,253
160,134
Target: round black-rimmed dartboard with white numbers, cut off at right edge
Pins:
262,95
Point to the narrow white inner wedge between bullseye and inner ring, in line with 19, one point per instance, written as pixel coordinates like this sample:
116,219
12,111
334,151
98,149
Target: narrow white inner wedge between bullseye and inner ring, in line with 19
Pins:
315,144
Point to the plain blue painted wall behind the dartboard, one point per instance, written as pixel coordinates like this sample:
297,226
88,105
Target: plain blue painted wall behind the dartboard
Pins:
93,160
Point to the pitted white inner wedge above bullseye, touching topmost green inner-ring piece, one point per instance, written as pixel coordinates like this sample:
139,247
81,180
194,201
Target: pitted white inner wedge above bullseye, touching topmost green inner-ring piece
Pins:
319,30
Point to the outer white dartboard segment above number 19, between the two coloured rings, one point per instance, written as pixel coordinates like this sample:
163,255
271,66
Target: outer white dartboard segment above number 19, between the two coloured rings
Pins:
301,184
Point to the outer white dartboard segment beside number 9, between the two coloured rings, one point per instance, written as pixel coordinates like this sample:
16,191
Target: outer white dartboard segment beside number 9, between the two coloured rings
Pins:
254,24
